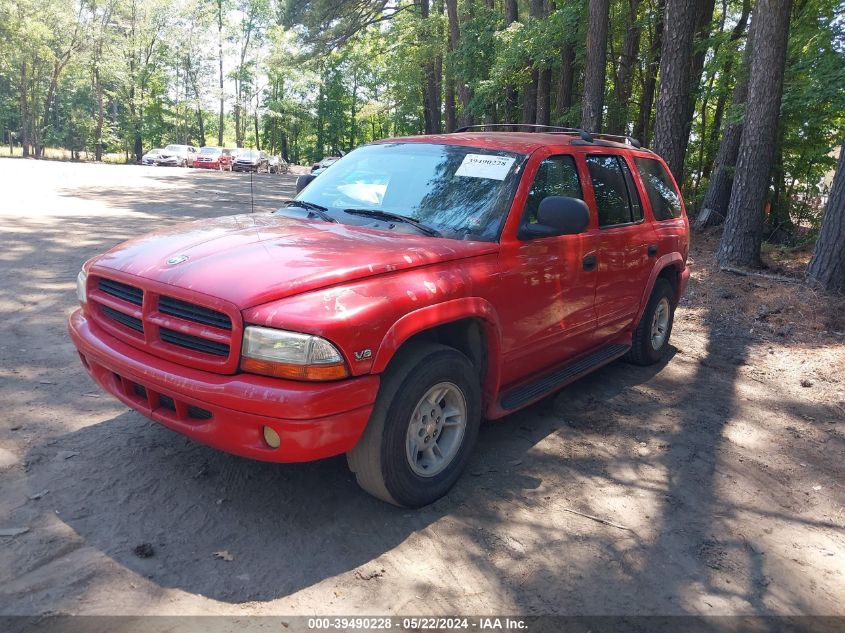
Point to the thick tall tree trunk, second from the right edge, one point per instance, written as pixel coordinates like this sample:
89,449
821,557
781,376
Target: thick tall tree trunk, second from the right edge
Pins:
740,244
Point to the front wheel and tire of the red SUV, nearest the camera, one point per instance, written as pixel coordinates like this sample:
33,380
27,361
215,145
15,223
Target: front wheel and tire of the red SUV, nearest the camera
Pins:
422,429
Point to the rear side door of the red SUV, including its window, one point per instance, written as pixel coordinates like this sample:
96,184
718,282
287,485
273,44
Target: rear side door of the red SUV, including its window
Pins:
626,243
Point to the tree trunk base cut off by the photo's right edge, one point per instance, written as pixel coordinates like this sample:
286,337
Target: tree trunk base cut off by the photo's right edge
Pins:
827,267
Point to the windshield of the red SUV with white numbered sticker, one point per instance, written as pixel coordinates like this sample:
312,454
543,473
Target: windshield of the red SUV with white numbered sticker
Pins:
461,192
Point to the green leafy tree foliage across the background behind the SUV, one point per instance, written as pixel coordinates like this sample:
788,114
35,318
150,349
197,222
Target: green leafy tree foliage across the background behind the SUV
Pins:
323,77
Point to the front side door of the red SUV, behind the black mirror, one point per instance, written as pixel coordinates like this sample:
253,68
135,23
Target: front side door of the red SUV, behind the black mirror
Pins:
549,316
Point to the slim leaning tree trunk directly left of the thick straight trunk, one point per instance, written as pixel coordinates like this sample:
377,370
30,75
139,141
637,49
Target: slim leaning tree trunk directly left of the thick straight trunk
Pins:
714,207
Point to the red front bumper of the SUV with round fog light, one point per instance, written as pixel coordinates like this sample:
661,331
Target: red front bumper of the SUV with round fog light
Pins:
313,420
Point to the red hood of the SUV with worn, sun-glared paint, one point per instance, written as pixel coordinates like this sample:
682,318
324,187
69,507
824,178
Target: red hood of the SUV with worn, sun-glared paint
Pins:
249,260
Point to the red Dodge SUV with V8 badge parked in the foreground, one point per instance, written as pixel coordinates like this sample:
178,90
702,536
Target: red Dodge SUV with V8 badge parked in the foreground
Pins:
419,285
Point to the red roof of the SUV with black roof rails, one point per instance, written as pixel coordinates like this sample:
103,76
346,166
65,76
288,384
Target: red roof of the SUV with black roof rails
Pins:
521,142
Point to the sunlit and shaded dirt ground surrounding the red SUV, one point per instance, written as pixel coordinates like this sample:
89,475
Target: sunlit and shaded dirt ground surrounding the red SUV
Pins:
724,464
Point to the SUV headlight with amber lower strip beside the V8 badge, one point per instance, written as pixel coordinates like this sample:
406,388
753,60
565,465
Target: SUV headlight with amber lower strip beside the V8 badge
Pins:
290,355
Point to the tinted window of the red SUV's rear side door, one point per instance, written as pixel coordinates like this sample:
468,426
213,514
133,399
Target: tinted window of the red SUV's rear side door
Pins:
616,204
